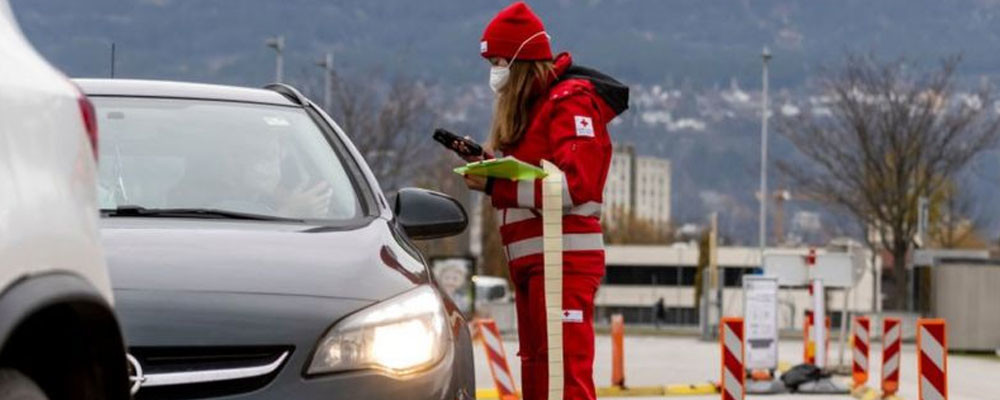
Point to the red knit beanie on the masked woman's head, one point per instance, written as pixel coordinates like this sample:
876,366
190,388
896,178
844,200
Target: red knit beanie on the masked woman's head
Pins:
509,29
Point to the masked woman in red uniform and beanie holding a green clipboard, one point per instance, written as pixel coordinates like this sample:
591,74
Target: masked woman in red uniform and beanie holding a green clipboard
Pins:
548,108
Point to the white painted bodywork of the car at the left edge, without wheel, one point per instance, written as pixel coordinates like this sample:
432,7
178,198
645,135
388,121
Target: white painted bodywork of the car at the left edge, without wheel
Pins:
48,211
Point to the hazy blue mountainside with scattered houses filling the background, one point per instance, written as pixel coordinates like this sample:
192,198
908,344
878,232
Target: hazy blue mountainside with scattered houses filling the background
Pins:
694,65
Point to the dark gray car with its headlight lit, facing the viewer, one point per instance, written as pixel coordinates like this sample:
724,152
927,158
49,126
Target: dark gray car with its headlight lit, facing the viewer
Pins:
253,255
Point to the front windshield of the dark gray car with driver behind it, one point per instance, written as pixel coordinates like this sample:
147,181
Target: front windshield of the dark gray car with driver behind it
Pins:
198,154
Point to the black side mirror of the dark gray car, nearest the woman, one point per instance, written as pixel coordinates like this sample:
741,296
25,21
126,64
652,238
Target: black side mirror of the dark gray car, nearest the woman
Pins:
425,214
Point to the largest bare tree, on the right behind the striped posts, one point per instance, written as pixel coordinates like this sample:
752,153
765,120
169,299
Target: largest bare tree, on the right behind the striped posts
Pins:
884,136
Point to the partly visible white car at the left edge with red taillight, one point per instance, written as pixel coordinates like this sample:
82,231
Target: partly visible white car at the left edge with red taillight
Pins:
59,337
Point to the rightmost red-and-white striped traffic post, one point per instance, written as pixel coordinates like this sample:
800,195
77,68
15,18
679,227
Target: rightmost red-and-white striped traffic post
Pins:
932,350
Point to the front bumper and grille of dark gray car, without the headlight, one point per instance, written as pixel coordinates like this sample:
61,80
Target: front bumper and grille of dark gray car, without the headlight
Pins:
276,334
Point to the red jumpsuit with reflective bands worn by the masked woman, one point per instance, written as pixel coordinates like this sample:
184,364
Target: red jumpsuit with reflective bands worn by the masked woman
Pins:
567,127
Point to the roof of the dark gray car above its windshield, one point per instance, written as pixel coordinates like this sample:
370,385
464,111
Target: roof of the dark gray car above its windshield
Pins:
184,90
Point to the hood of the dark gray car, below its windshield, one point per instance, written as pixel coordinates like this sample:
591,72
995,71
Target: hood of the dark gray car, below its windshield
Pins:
250,257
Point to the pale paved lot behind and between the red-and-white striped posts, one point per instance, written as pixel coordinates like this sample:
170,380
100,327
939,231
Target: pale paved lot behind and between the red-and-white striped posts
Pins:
662,360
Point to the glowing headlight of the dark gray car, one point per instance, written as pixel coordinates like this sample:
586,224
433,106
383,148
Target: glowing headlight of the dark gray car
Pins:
399,335
